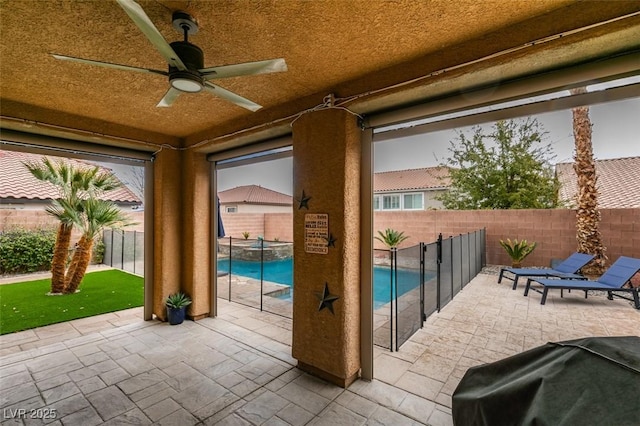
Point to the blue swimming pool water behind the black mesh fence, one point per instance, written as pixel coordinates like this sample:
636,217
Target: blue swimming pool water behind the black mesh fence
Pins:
281,272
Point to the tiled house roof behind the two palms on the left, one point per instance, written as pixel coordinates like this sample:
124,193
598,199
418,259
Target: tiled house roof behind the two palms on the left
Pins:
17,183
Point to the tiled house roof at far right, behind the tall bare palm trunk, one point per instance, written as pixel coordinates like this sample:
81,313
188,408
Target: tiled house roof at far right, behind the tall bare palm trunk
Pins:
618,183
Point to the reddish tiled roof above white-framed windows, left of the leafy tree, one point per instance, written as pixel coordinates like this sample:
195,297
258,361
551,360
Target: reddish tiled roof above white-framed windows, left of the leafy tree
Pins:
412,179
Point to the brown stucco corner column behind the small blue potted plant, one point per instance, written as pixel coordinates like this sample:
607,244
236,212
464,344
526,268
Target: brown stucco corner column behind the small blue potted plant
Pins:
181,230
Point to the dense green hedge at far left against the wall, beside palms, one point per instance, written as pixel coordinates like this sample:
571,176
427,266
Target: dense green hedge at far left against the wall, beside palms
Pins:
26,250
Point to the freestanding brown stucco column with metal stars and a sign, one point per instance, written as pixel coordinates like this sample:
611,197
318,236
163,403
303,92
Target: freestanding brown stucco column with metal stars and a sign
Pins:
326,167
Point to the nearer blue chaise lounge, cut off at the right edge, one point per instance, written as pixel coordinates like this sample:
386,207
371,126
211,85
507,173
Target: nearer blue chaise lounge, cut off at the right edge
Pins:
618,274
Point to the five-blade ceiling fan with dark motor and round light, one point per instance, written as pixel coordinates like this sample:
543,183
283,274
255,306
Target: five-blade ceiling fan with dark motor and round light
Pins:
187,73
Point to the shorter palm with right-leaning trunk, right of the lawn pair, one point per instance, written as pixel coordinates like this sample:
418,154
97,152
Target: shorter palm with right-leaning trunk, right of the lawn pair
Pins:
95,216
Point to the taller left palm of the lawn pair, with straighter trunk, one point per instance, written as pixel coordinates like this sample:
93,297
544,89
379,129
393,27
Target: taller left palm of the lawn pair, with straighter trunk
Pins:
74,184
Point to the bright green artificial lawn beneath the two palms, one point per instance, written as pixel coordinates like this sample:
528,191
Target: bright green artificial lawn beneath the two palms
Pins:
26,305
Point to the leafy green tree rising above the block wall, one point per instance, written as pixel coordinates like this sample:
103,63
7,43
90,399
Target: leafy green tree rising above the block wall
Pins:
507,167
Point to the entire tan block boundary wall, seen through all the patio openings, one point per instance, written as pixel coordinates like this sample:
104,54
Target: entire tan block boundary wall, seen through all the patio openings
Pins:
553,230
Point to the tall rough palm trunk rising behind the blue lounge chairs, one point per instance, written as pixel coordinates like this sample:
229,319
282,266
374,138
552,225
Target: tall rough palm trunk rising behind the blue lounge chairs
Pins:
587,214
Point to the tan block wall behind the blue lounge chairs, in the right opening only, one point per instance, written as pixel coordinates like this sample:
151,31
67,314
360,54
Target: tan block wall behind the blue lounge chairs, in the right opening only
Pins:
553,230
